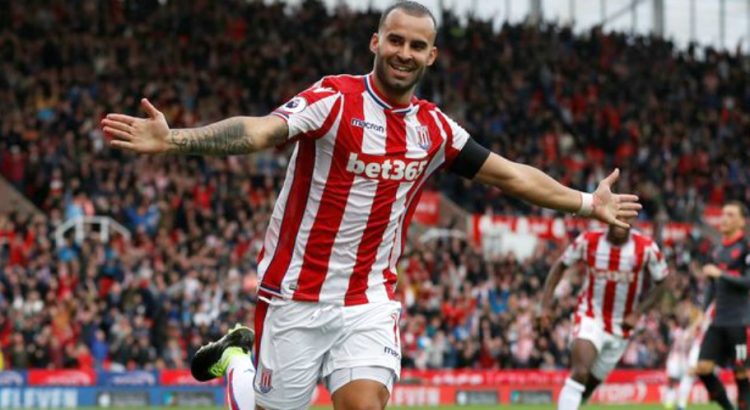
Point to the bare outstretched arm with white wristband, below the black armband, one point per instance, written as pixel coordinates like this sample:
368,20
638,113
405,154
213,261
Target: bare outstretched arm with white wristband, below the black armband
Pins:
538,188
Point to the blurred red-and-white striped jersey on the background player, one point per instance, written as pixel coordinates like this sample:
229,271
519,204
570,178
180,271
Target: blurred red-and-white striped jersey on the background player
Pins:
614,275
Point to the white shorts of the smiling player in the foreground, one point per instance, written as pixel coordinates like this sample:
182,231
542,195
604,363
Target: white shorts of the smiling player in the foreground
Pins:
302,343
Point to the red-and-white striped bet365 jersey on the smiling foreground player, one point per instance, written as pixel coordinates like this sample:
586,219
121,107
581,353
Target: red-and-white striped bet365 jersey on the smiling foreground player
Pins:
351,188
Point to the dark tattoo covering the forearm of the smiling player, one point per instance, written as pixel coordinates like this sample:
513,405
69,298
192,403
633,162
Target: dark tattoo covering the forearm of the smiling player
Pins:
227,137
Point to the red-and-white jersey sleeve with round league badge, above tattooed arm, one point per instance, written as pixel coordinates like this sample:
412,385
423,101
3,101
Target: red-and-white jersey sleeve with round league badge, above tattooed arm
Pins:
311,111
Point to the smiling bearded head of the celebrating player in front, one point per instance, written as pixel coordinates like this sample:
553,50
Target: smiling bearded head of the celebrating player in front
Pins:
403,48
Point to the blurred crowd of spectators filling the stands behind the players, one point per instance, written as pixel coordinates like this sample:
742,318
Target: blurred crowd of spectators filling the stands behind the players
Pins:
676,122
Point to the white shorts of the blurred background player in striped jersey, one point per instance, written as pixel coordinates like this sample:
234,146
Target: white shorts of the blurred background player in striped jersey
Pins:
609,347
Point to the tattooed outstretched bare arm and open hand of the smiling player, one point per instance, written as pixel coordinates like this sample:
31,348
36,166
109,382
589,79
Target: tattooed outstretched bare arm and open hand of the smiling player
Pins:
152,135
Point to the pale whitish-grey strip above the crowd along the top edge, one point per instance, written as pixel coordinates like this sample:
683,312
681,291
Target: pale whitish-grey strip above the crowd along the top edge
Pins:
721,23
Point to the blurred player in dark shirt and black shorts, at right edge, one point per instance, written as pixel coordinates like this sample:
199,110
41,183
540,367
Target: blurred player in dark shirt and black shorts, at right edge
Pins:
729,285
